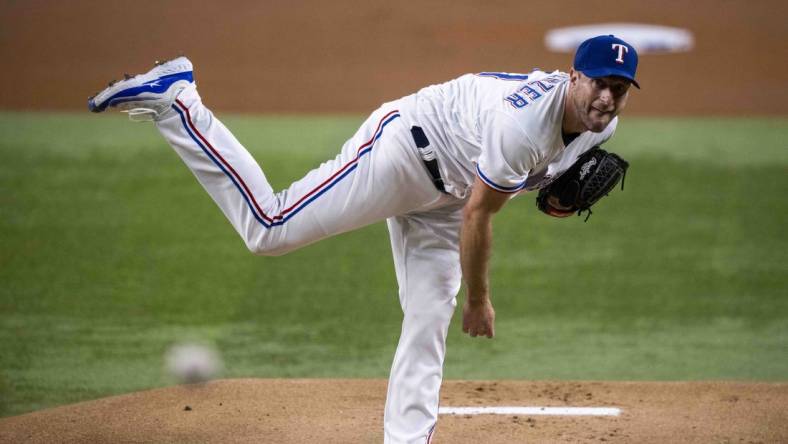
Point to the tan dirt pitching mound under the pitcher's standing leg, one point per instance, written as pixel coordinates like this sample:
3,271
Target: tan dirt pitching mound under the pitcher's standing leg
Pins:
350,411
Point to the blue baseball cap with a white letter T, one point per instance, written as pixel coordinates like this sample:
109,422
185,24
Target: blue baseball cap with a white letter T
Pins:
606,55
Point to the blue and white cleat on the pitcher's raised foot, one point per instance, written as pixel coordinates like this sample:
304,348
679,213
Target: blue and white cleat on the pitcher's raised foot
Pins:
146,96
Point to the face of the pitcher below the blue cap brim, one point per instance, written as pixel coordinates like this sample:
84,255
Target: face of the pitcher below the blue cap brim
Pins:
598,101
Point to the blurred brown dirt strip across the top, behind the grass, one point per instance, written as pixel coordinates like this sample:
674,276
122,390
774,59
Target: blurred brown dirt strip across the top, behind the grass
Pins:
349,56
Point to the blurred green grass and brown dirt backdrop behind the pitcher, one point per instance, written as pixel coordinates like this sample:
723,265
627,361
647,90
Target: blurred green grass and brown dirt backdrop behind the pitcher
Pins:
110,252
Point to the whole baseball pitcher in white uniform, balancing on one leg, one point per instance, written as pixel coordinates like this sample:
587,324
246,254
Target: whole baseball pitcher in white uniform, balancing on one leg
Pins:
437,165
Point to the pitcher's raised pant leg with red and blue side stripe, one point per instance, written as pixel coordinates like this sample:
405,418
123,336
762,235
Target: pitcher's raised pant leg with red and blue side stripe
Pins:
376,175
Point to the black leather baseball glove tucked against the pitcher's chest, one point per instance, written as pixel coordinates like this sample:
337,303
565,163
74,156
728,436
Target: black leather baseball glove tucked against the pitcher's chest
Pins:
590,178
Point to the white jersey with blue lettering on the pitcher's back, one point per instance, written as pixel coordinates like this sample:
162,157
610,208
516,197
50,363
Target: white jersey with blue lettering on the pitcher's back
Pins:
504,128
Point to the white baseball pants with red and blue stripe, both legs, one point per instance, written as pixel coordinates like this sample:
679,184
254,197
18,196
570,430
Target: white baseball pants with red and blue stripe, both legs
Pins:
378,175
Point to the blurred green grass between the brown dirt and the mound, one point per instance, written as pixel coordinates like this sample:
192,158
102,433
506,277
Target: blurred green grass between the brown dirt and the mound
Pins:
110,251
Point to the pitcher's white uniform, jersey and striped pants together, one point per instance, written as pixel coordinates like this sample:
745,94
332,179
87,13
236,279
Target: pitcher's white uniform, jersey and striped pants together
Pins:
504,128
